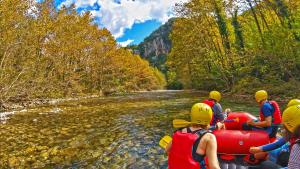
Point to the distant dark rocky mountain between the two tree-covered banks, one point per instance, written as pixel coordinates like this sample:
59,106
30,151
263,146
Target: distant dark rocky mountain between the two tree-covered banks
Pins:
156,46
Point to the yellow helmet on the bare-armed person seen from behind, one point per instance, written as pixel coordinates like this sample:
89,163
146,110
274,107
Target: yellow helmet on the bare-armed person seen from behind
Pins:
201,114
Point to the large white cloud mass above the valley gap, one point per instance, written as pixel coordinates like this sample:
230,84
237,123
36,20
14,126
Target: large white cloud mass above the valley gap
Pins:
121,15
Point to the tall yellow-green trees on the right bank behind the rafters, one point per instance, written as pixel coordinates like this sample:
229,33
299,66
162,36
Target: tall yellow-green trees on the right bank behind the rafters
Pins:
237,45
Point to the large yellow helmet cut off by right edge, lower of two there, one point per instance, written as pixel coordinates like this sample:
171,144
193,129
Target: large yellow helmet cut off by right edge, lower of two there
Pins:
291,118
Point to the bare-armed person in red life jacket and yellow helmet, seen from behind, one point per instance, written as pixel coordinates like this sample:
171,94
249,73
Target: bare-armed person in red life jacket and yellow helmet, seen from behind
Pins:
194,147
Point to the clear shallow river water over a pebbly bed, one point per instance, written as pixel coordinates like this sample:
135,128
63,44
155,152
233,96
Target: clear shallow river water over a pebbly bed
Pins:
111,132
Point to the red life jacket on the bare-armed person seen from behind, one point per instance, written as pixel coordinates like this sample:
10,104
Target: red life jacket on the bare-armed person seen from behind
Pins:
182,151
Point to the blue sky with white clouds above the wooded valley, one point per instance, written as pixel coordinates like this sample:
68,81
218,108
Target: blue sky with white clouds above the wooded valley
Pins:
129,21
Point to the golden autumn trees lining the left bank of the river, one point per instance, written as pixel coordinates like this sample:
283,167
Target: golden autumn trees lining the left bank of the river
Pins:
45,52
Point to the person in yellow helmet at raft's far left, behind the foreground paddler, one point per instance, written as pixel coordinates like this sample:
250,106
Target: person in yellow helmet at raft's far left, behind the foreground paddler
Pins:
213,101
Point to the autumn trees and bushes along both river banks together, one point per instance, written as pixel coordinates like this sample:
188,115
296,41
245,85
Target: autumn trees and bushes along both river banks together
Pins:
48,54
